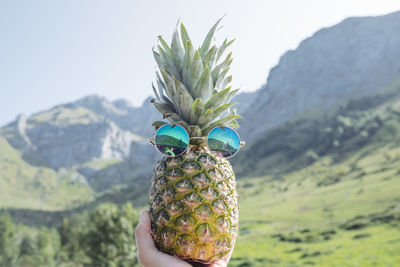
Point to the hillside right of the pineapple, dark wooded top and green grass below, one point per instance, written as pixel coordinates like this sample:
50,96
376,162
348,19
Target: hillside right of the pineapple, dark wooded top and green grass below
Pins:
326,192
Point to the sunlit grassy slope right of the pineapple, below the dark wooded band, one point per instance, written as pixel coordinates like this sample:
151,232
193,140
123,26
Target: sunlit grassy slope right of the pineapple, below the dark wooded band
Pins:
295,220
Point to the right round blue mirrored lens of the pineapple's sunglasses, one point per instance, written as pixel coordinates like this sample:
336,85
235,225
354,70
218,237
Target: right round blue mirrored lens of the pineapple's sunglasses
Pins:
223,141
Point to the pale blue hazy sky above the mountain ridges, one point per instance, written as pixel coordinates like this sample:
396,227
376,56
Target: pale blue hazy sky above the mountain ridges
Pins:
52,52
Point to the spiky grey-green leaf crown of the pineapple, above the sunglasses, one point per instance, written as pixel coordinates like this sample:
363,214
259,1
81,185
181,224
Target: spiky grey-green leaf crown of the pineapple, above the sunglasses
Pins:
193,86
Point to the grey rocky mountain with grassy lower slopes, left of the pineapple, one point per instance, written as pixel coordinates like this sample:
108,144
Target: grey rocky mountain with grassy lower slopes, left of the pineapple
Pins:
71,153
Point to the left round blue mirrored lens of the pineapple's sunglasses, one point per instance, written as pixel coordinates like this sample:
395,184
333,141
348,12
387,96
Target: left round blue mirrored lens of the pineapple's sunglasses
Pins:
172,140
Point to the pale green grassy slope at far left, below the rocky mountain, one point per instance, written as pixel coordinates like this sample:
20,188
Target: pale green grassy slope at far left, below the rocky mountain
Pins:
25,186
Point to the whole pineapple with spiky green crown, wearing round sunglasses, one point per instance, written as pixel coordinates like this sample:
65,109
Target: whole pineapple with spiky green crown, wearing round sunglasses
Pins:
193,198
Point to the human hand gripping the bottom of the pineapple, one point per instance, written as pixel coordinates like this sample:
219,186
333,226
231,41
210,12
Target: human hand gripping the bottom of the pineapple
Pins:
150,256
